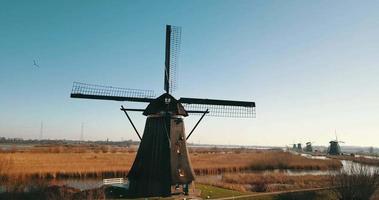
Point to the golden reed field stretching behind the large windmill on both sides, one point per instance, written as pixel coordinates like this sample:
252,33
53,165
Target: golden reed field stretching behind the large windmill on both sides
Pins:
74,162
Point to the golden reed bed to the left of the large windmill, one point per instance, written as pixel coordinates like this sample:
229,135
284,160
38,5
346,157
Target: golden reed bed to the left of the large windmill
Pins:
65,165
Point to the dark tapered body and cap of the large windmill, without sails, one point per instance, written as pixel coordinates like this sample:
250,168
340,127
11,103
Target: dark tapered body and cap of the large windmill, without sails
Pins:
162,159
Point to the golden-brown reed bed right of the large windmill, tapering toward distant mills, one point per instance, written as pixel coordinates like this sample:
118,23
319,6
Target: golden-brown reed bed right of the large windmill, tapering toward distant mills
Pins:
218,163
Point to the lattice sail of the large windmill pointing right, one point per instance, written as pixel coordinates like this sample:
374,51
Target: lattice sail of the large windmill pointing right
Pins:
220,108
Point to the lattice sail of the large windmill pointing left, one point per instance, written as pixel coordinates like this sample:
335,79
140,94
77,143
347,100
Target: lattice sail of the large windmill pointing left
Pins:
91,91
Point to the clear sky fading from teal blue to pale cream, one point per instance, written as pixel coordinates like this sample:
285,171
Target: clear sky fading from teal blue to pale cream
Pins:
310,66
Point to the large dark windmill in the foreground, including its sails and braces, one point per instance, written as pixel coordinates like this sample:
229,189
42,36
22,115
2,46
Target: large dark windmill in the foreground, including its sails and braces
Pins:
162,161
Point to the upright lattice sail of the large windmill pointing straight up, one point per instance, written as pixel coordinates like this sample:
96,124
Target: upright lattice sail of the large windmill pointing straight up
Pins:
173,40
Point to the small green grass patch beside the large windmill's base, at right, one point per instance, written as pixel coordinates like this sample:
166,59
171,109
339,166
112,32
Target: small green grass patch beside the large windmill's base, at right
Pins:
211,192
